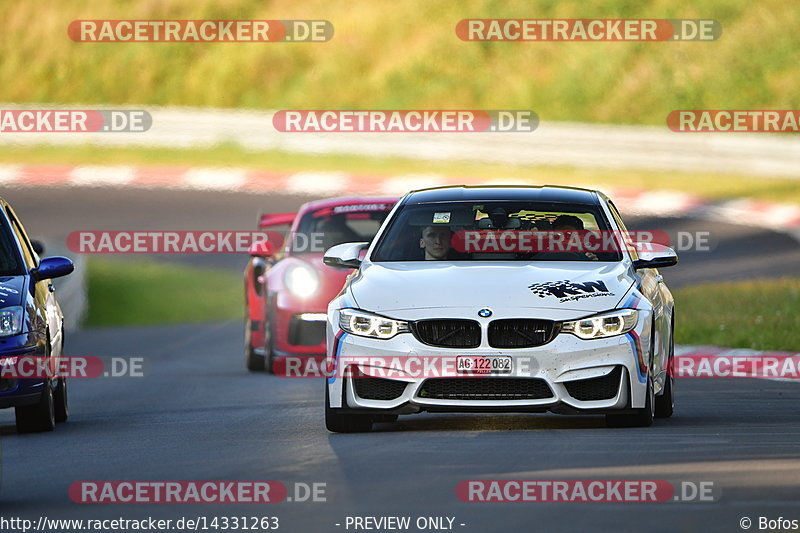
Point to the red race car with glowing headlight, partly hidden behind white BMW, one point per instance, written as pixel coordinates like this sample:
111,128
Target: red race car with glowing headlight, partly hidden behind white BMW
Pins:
288,288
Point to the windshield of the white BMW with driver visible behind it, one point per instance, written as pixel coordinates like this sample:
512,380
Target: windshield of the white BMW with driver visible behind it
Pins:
498,231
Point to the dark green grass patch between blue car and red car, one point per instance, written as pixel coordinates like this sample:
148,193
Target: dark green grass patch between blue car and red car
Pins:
144,292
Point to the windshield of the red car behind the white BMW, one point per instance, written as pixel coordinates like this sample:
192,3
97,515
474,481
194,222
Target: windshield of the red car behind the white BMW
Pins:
321,229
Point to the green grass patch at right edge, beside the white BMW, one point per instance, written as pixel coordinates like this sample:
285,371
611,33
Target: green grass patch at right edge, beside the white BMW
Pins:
759,314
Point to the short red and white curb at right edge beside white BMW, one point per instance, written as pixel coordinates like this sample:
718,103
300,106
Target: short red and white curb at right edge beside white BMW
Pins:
716,362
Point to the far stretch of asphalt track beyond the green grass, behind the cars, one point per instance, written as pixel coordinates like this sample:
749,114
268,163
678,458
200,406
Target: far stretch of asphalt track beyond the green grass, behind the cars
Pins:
737,250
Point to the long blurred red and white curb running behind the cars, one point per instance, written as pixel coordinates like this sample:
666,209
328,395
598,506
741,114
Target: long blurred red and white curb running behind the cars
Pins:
781,217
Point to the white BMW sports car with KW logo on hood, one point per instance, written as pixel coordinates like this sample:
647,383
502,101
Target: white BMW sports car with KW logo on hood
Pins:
500,299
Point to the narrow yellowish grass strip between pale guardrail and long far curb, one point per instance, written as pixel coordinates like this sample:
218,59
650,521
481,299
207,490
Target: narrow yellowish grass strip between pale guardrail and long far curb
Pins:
707,185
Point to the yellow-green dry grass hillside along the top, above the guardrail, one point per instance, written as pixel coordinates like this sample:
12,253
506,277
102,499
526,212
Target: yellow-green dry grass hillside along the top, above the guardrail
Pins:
407,55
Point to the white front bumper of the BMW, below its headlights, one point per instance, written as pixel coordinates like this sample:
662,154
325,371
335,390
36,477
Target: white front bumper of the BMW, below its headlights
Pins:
567,375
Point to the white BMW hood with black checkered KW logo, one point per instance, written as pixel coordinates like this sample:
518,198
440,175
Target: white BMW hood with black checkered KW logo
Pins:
574,286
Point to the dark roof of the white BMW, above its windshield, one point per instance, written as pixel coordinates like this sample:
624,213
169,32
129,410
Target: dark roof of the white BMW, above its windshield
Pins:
479,193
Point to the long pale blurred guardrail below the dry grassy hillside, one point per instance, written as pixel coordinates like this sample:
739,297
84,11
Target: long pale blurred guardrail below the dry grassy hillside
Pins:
553,143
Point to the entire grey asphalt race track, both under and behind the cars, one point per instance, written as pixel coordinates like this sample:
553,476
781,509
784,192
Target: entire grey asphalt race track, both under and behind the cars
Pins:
198,415
